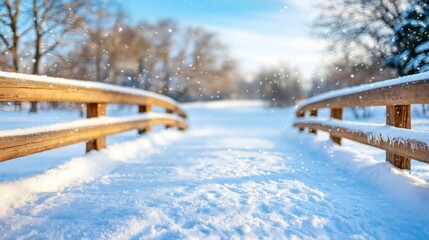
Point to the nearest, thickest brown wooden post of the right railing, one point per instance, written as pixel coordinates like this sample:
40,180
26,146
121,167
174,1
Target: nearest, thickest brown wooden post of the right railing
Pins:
398,116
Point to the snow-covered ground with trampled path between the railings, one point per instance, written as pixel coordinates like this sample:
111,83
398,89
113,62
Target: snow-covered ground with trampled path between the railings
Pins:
241,171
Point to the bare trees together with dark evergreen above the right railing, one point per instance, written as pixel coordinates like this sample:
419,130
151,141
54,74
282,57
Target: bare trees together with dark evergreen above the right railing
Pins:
372,41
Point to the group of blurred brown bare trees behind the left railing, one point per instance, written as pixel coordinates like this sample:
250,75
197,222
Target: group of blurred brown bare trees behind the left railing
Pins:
93,40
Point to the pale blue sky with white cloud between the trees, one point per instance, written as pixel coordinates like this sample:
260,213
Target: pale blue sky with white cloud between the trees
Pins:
258,32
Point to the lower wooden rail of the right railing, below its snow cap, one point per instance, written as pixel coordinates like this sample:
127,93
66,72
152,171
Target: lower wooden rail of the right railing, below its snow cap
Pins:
414,149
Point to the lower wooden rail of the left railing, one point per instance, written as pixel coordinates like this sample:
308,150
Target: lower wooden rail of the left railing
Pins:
26,144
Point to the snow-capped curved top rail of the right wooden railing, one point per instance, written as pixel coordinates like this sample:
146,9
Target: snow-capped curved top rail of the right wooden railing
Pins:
404,90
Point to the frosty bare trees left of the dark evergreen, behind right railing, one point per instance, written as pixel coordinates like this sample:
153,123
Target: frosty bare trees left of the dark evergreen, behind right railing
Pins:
359,33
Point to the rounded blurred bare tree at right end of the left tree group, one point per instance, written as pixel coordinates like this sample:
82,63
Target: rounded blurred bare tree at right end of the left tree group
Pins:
204,66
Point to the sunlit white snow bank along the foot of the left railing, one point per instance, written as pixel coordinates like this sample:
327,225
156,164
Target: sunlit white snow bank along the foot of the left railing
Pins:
18,193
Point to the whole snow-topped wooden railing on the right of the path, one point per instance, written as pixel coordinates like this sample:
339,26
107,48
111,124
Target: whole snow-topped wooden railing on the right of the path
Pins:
397,95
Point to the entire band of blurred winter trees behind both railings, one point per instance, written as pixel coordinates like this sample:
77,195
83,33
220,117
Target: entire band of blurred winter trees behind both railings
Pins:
365,41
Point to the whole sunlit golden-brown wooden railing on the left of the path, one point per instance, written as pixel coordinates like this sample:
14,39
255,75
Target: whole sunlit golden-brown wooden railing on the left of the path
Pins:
21,87
